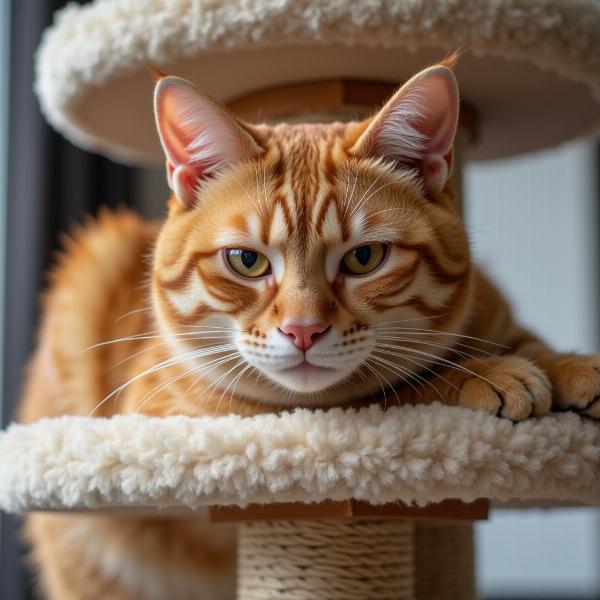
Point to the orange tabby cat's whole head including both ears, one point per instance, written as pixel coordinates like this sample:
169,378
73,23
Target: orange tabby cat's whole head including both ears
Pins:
317,259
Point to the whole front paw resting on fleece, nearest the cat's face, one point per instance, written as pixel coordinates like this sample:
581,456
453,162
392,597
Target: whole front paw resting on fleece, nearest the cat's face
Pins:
510,387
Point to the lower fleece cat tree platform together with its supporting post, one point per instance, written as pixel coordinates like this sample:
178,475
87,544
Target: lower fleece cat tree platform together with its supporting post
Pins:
330,504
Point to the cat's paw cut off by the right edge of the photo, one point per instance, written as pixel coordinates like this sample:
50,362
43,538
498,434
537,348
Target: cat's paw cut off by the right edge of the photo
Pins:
576,382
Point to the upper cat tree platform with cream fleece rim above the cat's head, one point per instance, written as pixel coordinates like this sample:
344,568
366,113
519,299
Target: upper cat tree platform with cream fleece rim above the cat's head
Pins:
530,71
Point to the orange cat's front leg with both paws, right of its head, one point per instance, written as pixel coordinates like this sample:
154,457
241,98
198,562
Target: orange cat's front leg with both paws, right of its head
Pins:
528,371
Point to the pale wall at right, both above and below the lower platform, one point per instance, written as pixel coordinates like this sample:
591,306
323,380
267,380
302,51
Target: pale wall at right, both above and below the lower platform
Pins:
534,225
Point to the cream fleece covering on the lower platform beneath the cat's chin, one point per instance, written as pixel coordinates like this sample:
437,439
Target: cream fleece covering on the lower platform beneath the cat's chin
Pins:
415,454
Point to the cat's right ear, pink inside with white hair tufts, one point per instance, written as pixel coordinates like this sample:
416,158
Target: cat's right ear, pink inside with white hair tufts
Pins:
417,126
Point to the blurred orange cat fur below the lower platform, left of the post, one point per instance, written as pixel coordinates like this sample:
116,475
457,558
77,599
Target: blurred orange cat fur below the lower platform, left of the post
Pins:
92,557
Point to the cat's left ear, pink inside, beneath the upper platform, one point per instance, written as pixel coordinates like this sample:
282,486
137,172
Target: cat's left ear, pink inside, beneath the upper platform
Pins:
199,137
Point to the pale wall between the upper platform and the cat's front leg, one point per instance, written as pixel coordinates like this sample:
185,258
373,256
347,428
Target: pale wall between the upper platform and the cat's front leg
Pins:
534,225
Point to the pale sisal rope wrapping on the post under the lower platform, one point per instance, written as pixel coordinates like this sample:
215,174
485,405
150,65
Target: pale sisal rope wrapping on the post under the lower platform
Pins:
326,560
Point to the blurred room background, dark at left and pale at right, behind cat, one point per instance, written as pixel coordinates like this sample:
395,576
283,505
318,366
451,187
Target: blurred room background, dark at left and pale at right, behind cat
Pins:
534,225
